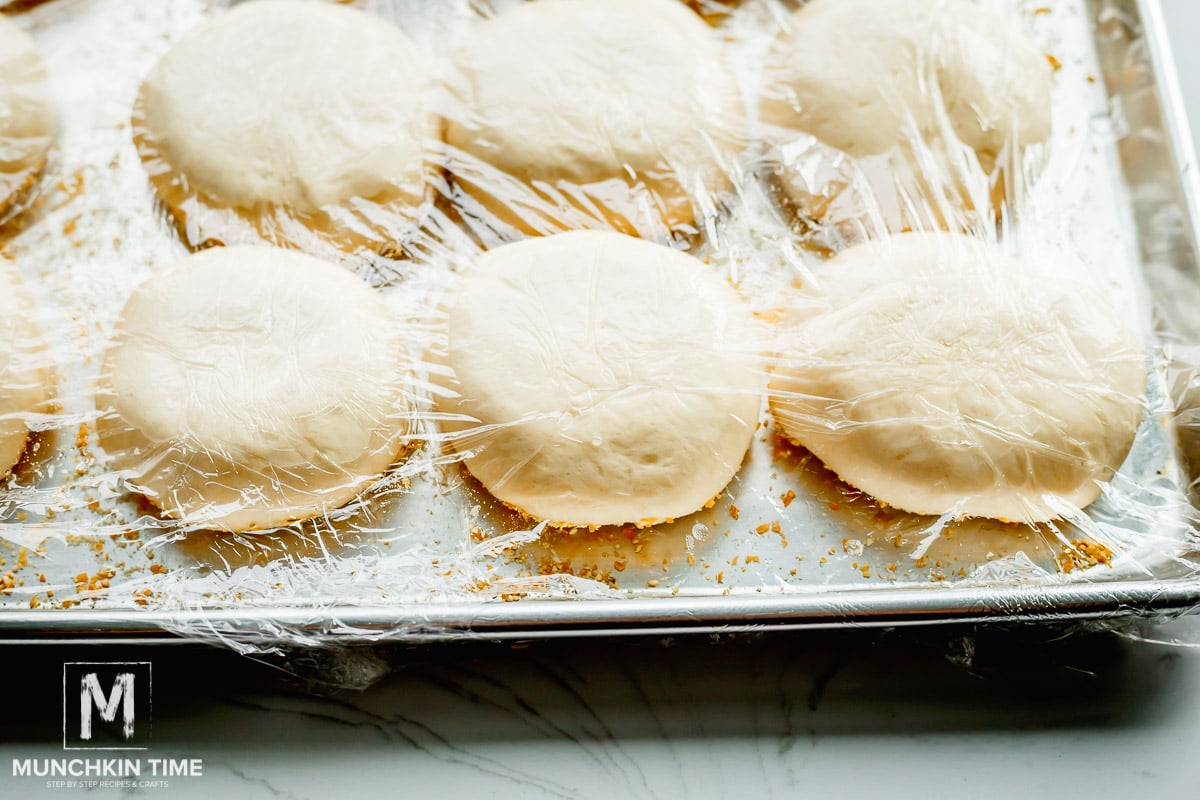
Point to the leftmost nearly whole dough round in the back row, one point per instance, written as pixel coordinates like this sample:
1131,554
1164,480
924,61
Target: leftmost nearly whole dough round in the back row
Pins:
290,122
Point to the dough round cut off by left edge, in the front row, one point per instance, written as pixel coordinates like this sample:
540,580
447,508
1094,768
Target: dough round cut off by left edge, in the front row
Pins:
26,377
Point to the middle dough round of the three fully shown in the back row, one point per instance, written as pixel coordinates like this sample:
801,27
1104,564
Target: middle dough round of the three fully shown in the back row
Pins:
621,111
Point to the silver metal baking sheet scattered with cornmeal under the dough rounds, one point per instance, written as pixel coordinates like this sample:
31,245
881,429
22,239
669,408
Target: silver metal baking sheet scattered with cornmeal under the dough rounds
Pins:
429,554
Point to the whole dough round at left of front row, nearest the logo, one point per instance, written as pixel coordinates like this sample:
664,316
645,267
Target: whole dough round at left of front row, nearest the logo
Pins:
250,387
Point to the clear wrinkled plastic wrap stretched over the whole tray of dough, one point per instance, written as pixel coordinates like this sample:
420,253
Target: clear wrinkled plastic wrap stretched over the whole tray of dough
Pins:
446,411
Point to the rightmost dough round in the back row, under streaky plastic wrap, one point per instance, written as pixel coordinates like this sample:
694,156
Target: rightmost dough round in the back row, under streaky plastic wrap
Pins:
896,86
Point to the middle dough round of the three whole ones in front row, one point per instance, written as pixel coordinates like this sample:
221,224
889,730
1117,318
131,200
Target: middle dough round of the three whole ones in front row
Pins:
615,374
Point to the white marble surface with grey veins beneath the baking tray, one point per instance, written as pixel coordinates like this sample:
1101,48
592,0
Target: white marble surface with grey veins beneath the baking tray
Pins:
997,714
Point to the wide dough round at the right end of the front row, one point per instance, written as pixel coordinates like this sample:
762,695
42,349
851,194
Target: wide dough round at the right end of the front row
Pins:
940,376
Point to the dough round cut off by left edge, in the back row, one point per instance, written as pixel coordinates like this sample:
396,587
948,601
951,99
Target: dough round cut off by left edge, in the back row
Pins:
26,123
